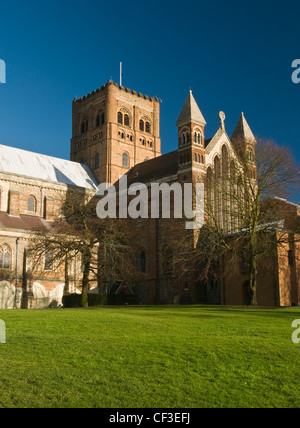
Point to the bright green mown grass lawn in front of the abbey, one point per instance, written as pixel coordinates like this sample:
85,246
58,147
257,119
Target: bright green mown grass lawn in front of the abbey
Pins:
147,357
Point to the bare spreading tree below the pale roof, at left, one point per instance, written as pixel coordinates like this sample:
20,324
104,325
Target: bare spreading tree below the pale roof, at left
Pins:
104,246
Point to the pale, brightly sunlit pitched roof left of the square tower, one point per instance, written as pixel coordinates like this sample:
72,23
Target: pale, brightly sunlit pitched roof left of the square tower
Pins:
46,168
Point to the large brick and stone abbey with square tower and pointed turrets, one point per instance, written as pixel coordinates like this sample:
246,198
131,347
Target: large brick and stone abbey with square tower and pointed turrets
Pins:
116,132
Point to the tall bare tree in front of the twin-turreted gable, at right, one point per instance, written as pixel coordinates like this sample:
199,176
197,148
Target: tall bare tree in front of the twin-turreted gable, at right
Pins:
240,210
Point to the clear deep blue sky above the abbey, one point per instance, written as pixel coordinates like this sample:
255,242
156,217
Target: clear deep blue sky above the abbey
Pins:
235,56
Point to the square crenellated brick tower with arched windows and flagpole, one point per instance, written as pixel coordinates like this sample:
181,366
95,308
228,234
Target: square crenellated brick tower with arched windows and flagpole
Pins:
113,129
